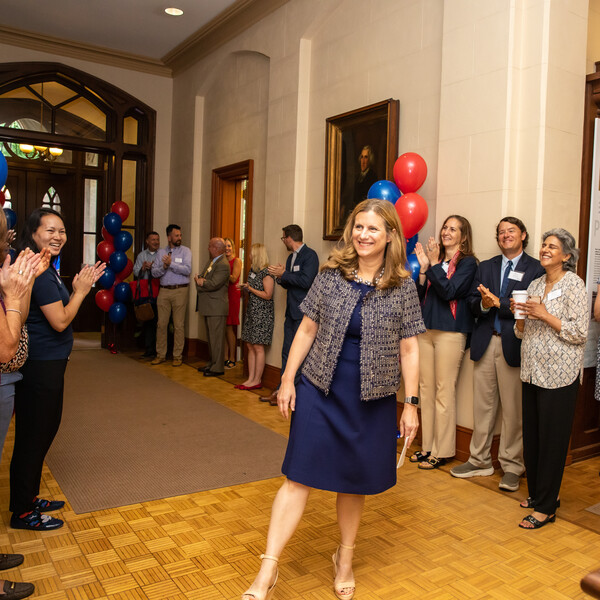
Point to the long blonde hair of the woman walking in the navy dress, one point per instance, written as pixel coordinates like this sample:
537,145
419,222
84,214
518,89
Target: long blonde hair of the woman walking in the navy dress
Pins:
345,258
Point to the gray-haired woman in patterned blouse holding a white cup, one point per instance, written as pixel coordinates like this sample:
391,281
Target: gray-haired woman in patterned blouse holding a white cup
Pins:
554,332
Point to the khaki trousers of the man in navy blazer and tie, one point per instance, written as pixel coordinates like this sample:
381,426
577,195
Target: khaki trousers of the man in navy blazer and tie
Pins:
495,383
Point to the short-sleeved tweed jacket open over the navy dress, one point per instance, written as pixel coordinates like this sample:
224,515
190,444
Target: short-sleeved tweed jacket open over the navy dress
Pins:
387,317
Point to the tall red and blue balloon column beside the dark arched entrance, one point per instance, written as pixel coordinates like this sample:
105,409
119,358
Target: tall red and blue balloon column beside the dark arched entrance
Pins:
115,294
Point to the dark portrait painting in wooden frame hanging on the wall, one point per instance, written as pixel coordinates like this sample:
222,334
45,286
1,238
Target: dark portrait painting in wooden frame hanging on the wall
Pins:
361,147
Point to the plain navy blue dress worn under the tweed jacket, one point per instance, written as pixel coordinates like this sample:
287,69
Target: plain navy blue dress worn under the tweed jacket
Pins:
338,442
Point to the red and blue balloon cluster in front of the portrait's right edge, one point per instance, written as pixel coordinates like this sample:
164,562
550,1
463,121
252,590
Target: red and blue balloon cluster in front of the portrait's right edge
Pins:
410,172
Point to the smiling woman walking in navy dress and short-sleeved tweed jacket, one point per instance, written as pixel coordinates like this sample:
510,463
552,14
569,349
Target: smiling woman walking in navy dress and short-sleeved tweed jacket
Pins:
361,317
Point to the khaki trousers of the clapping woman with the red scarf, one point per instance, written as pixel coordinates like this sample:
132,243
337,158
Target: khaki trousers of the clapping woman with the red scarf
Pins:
441,354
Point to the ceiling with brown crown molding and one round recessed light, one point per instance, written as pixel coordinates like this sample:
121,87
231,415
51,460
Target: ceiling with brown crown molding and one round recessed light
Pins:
135,34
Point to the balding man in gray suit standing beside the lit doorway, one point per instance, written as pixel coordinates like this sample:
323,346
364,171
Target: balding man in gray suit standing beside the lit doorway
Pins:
213,304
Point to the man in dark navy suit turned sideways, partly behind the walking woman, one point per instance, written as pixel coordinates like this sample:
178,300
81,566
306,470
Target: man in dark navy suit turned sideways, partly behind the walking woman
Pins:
300,270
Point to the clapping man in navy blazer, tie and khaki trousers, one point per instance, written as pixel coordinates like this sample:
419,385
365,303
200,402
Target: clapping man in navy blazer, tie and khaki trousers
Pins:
496,352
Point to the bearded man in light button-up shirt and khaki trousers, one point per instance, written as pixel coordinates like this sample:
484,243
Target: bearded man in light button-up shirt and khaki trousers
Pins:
173,266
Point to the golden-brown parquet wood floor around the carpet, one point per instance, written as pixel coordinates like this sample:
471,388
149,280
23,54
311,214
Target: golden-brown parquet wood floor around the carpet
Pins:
429,538
